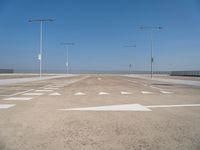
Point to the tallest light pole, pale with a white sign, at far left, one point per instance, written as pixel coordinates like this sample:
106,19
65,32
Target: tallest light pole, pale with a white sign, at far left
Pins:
41,46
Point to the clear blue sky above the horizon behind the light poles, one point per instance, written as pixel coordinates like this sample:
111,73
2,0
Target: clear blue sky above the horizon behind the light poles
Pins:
99,28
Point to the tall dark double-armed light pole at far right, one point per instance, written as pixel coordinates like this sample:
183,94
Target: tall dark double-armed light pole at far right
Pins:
151,40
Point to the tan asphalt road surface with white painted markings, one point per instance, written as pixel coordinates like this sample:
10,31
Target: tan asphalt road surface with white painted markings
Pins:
133,114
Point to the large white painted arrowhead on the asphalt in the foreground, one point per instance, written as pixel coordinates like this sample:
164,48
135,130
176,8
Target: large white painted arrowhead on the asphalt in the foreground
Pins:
124,107
